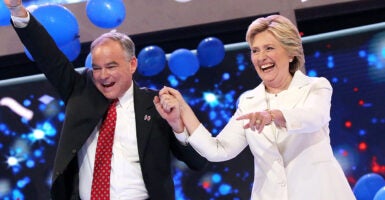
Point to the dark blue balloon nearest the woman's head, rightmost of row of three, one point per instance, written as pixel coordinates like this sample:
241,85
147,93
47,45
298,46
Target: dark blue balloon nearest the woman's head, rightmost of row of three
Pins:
211,52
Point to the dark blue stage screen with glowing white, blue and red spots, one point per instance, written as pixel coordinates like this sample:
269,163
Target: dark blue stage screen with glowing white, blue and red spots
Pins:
31,116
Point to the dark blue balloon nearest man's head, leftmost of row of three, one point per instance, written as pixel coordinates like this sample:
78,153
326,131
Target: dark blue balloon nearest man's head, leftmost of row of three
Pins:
151,60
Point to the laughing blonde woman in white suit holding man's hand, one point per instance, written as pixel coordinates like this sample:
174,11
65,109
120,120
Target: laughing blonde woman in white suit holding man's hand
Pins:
284,120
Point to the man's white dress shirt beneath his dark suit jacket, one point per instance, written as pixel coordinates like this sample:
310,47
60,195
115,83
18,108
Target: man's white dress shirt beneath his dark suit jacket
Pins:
126,175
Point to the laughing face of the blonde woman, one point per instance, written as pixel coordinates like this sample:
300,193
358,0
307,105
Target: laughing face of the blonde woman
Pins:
270,60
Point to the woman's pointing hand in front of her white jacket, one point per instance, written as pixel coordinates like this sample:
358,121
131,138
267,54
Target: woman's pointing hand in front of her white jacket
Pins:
258,120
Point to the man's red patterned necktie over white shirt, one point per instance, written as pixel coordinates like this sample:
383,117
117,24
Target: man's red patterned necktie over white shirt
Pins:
102,166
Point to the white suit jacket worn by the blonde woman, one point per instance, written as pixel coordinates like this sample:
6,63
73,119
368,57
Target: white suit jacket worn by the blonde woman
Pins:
292,163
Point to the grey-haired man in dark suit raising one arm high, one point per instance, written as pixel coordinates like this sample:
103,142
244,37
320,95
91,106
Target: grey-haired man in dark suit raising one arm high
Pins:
143,140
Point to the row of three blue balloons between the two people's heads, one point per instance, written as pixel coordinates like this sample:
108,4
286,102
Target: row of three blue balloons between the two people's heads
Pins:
181,62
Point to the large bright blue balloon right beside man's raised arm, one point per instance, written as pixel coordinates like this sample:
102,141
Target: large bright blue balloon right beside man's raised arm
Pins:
60,22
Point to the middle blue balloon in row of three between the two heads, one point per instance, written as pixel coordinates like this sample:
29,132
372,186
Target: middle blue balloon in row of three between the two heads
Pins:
183,63
